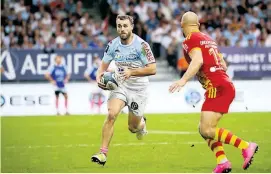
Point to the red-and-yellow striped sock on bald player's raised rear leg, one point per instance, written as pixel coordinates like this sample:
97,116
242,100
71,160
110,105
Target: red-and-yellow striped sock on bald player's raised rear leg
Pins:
225,136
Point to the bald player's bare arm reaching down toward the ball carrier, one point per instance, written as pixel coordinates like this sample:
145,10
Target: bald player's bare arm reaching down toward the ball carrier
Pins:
193,68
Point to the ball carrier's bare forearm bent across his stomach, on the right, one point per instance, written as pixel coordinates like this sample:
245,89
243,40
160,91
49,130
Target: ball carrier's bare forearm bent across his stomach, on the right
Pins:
149,69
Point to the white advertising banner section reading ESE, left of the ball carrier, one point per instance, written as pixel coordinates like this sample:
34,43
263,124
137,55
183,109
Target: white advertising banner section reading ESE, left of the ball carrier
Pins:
39,99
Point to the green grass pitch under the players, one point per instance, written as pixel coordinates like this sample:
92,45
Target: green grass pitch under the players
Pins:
66,143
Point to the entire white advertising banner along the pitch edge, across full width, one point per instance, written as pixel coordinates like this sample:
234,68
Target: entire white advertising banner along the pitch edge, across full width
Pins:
84,98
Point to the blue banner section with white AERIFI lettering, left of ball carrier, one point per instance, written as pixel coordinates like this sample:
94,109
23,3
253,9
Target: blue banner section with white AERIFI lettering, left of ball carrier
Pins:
31,65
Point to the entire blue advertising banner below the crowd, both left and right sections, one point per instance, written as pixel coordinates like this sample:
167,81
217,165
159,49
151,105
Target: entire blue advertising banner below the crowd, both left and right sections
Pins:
31,65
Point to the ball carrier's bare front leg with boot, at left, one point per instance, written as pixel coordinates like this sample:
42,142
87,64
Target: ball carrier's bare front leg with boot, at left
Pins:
115,105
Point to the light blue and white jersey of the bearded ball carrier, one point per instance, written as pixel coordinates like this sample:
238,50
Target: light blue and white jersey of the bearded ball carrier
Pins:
135,55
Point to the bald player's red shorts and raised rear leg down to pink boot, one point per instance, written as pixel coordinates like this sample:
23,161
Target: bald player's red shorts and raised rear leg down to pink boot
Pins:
217,103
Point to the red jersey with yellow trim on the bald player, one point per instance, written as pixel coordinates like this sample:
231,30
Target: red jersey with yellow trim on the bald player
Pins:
211,74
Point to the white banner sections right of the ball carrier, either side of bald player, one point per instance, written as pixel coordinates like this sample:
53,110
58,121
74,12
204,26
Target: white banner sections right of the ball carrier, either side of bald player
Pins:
251,96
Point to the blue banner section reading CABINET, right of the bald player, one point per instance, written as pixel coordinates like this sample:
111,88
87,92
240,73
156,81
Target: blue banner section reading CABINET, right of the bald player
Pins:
248,63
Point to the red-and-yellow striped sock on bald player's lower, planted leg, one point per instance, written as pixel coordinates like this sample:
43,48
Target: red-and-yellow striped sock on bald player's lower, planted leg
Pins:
217,148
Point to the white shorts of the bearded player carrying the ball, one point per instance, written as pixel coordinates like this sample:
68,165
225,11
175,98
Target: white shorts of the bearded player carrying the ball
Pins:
136,101
